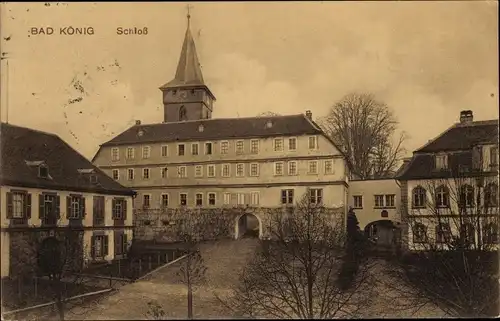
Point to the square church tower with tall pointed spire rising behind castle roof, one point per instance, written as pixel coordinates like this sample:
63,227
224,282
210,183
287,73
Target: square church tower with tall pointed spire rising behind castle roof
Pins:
186,97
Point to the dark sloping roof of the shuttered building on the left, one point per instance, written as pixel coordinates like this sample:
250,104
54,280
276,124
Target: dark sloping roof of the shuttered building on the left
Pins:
22,148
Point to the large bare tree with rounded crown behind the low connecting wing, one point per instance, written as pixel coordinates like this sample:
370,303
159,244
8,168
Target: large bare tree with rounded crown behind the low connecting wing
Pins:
365,130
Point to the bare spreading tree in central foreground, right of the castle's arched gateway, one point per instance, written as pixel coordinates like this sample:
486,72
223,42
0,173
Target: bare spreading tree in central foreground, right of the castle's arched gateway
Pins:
295,274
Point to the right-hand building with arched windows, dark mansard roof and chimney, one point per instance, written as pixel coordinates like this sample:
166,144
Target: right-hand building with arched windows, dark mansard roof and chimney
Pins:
450,187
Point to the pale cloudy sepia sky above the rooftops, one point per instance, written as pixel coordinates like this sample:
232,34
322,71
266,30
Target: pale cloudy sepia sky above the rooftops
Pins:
426,60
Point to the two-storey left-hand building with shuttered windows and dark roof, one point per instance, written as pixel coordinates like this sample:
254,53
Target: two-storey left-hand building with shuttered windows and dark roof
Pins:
47,188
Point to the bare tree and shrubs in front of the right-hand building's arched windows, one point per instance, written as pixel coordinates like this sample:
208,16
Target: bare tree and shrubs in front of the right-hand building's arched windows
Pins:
453,232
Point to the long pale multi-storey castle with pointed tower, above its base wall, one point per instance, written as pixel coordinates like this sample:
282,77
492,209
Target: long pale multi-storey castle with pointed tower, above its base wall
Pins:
194,160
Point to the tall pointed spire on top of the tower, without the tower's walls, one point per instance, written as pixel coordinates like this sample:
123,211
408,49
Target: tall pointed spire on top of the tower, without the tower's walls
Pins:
188,69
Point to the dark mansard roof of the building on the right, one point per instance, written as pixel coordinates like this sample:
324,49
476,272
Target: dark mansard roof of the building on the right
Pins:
458,141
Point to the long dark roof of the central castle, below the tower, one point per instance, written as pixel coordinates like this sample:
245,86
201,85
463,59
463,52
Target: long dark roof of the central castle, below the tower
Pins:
217,129
